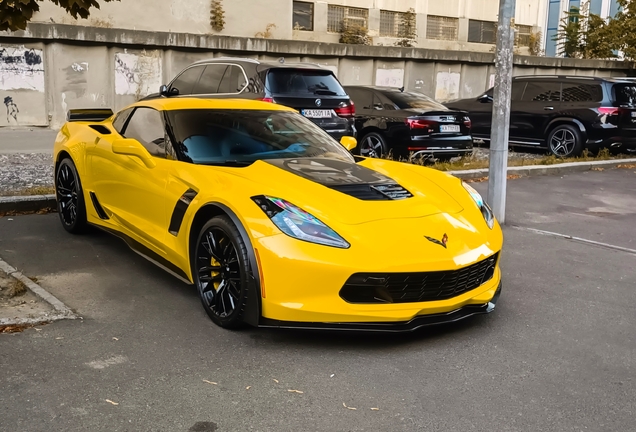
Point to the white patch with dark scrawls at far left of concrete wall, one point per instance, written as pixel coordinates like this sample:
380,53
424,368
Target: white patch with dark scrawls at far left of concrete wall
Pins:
21,69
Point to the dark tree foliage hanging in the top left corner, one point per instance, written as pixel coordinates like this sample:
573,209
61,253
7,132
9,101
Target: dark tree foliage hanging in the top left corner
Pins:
15,14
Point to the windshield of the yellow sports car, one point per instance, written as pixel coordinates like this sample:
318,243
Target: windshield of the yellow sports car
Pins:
241,137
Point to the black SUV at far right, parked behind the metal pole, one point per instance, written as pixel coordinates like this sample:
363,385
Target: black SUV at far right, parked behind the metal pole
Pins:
564,114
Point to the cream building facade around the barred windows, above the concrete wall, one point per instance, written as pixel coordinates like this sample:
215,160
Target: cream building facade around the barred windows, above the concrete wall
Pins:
247,18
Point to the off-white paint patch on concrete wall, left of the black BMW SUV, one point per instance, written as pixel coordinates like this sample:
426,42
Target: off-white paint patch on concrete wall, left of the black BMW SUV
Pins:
137,75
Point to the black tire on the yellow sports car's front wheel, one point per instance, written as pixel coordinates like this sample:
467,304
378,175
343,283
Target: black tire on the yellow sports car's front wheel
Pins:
233,320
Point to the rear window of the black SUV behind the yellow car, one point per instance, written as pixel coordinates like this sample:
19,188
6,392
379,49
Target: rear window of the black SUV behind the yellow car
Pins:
303,82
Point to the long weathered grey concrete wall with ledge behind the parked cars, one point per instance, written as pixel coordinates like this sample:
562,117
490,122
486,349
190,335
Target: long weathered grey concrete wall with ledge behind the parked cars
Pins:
52,68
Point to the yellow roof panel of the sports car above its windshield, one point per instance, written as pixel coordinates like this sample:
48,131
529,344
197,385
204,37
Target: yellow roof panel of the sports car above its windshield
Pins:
181,103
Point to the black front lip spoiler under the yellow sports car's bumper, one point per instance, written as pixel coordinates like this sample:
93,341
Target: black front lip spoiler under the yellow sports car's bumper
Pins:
391,327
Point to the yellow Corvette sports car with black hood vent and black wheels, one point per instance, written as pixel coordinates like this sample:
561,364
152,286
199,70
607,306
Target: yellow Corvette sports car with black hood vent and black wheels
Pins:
274,221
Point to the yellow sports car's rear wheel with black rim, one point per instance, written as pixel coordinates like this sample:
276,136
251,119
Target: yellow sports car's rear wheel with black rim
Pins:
78,223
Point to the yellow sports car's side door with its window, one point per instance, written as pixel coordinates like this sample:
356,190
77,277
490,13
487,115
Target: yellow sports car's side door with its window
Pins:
131,193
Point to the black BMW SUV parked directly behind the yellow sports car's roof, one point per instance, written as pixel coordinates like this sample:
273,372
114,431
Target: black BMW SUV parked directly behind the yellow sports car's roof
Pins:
309,88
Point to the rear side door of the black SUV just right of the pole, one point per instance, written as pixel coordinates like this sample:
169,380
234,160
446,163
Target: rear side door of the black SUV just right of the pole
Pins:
530,116
